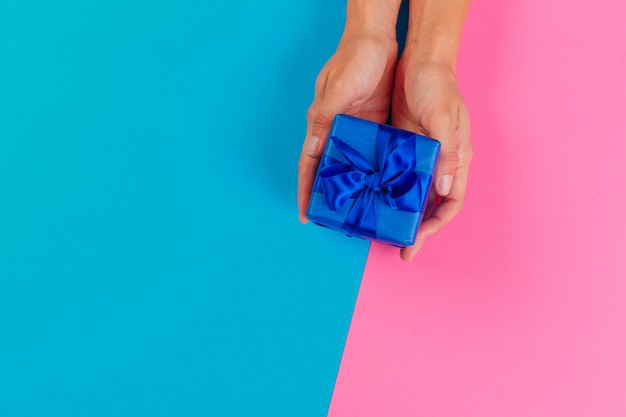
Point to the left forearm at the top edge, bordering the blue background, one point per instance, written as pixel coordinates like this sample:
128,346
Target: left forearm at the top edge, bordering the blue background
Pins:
372,17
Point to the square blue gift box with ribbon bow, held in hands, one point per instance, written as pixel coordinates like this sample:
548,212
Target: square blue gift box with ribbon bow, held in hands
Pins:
373,181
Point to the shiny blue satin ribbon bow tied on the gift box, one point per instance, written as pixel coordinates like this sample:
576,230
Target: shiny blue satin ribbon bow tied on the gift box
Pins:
397,183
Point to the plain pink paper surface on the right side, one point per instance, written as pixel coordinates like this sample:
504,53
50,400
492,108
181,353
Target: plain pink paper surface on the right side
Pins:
517,308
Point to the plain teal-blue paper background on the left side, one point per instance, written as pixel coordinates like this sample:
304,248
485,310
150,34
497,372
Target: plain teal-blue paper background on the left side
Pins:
151,261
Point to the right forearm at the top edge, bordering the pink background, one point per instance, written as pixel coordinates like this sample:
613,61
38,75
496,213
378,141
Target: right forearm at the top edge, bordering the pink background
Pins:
434,31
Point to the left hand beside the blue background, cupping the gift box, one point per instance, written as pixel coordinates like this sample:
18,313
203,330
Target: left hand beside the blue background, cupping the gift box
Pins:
356,80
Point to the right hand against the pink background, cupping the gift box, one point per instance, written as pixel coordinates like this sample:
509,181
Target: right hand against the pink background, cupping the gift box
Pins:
426,100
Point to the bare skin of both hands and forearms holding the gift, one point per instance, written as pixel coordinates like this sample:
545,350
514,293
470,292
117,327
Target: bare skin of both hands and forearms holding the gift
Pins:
364,79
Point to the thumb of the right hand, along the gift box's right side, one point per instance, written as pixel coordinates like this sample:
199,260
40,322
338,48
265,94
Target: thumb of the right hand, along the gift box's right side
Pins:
447,164
